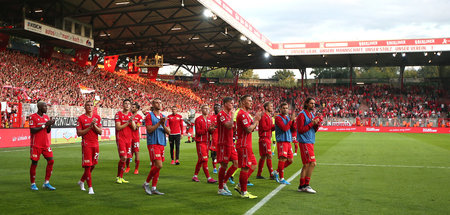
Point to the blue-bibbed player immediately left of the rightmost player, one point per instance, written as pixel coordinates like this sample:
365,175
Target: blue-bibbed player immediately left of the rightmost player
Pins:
283,125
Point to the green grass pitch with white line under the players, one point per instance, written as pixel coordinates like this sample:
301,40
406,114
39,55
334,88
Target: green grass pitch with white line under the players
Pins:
357,173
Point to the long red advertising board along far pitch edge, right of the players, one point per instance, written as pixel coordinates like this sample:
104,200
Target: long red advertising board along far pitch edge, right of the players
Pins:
386,129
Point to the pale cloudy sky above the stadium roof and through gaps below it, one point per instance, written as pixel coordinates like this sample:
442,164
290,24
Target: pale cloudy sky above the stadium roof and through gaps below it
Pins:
344,20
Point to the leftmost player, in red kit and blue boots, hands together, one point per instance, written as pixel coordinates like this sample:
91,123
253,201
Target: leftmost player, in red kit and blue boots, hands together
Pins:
40,127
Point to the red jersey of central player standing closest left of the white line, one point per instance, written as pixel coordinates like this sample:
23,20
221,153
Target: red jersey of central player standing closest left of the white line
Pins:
244,139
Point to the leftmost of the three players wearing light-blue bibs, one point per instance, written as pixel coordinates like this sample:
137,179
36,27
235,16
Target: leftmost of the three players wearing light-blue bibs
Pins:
156,125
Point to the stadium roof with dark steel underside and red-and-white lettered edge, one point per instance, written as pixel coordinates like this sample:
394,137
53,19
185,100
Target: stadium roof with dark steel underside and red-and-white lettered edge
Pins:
210,33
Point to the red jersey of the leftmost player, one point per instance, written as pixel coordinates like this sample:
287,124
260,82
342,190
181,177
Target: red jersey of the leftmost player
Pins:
39,139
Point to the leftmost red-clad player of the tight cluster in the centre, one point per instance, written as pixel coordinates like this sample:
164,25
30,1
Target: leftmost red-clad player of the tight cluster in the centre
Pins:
203,128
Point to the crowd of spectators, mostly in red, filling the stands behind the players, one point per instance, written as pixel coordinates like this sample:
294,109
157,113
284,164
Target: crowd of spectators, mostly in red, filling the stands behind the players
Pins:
27,79
